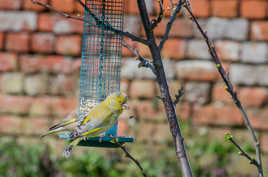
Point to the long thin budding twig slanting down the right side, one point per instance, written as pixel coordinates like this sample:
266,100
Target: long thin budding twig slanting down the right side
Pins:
229,88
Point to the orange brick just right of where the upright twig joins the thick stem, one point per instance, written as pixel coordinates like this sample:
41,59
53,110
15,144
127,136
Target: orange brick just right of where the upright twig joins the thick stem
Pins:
174,49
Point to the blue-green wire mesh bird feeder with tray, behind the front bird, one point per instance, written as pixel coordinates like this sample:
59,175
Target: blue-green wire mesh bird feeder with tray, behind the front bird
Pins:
101,62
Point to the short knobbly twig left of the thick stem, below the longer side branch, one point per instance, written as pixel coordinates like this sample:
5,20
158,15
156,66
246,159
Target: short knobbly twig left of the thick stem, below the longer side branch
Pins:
143,62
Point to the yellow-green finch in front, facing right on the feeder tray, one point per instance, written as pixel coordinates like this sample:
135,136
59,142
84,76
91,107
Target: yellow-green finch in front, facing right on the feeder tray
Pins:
100,119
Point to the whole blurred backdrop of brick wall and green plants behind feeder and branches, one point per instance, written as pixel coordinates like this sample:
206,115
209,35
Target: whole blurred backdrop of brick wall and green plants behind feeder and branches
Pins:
39,83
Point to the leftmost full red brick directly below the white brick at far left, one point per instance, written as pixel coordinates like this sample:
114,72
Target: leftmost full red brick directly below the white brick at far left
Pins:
18,42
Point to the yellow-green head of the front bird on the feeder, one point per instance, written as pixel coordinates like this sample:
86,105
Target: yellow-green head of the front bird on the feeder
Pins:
117,101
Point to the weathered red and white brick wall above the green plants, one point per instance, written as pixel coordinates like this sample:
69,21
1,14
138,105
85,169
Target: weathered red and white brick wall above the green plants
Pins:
40,60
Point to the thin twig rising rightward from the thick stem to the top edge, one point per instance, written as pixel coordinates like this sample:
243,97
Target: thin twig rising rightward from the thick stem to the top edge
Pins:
169,24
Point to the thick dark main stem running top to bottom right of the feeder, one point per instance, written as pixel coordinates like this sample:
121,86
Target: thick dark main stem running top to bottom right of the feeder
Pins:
165,95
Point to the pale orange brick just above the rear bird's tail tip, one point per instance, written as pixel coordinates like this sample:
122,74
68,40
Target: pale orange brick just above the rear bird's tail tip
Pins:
34,125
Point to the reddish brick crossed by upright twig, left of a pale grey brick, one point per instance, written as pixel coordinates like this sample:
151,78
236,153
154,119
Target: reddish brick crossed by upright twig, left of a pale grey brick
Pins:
181,28
